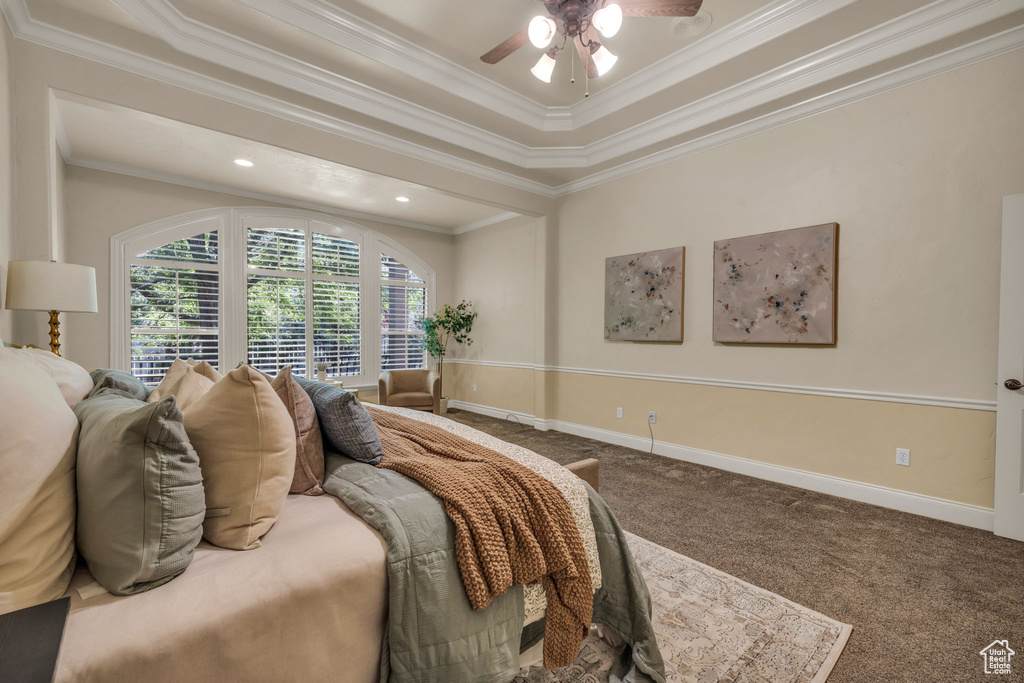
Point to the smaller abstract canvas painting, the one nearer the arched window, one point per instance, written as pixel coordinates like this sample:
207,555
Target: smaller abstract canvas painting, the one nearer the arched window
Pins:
644,296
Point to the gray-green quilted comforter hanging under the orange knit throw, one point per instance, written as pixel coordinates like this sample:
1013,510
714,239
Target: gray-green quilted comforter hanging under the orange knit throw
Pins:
433,635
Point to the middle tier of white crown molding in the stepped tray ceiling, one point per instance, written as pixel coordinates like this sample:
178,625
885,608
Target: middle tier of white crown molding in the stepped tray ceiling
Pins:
915,30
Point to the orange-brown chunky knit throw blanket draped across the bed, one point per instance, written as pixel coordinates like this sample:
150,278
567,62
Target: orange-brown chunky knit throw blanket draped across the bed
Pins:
513,527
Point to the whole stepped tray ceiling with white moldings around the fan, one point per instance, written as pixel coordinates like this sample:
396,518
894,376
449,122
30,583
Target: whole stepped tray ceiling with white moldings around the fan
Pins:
406,73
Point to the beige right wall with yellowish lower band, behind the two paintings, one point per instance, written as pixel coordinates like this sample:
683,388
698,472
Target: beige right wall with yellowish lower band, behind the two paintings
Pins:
915,178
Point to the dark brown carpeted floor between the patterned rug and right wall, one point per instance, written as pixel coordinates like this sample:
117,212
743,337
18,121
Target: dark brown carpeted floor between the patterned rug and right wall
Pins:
924,596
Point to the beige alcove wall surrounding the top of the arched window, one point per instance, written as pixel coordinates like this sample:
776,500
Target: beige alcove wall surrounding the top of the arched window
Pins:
102,205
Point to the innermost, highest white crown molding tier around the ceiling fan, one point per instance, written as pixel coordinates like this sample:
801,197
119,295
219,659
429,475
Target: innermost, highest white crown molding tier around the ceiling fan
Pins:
352,32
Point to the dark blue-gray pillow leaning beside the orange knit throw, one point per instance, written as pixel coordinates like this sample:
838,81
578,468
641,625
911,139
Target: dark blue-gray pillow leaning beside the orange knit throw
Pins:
346,424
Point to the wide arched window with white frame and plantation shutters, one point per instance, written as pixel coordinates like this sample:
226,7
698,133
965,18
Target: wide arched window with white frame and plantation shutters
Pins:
272,287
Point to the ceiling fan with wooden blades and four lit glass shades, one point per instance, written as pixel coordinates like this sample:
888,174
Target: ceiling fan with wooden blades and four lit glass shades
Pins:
584,22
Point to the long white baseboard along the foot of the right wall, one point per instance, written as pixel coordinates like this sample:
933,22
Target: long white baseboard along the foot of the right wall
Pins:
937,508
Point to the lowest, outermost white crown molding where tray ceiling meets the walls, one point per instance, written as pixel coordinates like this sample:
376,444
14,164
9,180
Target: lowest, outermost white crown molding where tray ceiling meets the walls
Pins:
924,22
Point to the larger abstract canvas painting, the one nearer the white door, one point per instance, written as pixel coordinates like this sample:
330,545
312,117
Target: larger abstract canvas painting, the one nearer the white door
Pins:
778,288
